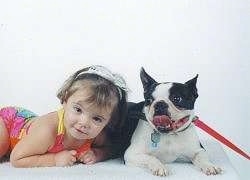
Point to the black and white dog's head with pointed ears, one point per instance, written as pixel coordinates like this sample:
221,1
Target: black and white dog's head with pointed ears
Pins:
168,104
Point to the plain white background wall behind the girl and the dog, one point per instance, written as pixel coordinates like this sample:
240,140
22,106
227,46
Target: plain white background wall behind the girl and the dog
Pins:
42,42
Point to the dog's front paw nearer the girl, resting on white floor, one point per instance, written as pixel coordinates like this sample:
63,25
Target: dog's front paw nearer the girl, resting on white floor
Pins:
159,169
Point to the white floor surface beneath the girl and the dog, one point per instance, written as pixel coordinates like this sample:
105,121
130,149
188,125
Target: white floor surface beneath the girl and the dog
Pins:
115,169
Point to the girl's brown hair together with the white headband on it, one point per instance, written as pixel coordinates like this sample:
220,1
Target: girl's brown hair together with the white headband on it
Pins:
104,88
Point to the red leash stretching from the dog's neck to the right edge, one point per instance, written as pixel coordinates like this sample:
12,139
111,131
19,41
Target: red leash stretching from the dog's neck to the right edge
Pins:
219,137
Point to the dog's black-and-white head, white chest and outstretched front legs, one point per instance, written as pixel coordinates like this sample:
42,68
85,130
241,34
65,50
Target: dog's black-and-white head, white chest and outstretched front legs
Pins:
154,142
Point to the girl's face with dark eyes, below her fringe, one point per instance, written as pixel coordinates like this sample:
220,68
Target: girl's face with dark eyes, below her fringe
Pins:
83,121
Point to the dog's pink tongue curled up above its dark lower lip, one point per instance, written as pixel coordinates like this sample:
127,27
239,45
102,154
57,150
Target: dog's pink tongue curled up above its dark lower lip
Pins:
163,123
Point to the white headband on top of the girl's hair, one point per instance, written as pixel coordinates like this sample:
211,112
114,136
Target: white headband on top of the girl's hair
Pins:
102,71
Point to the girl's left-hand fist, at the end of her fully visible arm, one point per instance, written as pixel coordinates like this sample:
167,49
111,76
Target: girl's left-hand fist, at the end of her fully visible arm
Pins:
65,158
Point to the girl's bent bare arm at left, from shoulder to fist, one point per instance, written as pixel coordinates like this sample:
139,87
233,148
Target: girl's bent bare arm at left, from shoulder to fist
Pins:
31,151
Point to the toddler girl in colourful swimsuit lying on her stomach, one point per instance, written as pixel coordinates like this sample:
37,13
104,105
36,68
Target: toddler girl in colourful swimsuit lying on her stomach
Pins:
93,104
